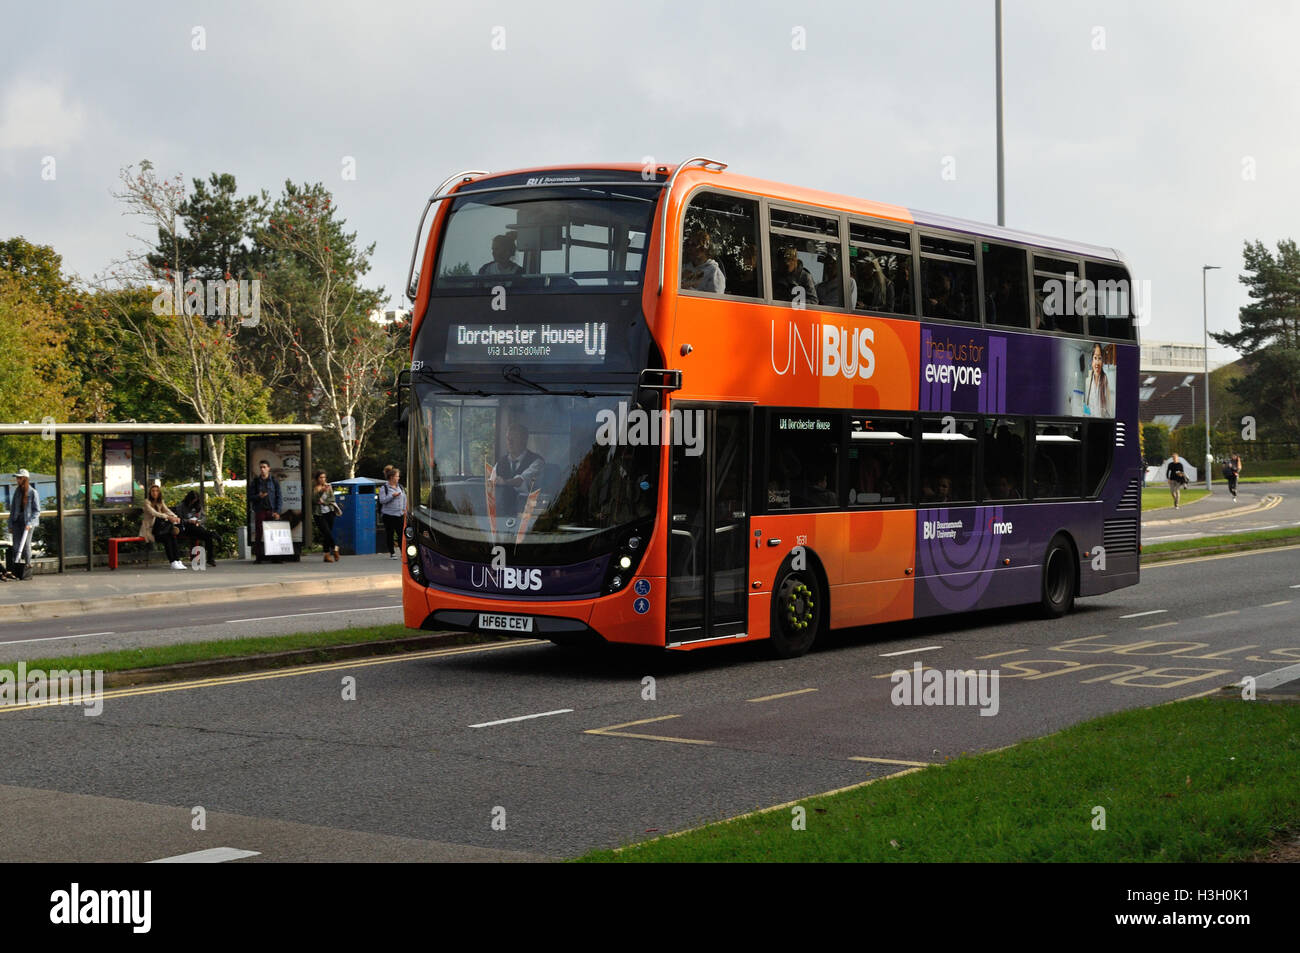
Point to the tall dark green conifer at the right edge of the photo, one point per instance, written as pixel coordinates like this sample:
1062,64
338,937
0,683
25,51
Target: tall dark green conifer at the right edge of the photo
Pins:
1269,337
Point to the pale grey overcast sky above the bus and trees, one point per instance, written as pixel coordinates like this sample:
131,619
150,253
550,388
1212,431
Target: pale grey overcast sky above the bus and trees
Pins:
1168,131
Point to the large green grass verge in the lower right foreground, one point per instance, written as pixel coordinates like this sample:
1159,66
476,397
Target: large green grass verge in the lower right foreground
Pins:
1202,781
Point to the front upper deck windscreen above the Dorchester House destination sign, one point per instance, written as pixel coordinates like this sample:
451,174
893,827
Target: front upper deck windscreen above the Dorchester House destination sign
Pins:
547,241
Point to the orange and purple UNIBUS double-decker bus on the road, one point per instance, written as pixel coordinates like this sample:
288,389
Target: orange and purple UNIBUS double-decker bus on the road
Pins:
682,408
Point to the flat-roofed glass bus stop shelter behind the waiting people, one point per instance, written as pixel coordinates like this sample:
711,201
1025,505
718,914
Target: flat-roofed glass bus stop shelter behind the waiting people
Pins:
102,473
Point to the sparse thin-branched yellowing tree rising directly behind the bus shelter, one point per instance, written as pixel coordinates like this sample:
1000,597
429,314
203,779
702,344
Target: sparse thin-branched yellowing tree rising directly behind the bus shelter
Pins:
193,356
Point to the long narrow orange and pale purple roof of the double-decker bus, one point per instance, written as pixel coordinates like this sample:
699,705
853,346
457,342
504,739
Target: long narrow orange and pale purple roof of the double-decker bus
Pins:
694,176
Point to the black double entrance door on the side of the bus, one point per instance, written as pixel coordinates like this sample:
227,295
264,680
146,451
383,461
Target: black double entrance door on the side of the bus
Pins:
709,522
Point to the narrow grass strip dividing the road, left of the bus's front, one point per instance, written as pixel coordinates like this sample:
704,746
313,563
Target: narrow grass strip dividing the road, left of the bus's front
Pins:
127,660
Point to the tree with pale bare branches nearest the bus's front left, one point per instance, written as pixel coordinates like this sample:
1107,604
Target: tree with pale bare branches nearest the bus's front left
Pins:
318,311
